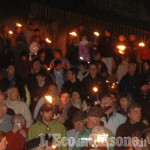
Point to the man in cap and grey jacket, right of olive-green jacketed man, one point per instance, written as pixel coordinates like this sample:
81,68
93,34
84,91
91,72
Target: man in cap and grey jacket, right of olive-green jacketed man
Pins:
79,131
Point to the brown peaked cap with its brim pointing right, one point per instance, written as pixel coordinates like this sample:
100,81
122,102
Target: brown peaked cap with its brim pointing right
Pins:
97,112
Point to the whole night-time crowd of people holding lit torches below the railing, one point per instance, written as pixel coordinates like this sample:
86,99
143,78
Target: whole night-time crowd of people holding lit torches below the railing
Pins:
44,92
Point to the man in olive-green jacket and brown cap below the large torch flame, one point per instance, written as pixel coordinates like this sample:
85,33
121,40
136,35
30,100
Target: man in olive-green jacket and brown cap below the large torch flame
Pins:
45,125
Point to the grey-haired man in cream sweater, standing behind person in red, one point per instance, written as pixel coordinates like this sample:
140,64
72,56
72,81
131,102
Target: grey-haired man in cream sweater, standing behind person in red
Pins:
19,106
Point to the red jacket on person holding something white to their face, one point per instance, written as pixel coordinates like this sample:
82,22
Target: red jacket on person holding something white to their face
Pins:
16,140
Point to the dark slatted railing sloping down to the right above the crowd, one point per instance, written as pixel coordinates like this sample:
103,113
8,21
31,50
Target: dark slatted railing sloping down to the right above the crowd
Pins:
48,12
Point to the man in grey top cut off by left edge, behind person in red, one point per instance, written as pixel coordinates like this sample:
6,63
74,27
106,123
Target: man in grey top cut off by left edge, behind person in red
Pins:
5,120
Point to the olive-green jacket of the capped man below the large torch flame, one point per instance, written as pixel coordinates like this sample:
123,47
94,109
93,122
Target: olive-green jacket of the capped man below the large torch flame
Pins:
54,127
